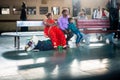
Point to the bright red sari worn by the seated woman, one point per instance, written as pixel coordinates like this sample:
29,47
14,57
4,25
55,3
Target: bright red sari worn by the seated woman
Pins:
55,34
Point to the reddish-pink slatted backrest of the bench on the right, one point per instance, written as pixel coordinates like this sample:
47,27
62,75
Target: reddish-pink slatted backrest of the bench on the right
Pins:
93,24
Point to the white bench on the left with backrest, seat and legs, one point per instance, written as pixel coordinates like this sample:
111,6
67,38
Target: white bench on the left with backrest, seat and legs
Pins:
18,34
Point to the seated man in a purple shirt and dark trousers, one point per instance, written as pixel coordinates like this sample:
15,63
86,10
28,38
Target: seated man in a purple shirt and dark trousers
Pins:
63,24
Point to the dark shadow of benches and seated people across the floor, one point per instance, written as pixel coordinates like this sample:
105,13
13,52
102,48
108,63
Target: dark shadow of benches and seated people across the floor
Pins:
64,59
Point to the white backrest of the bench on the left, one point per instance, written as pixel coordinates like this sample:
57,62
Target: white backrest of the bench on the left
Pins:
29,23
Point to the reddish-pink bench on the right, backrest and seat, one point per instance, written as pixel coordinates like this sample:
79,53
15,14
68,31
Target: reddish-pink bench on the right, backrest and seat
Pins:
96,26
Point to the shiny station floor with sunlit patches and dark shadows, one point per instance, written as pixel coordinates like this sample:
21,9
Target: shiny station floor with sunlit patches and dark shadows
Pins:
97,61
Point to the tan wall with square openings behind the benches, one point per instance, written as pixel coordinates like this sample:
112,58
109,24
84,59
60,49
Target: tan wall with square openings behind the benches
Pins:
10,25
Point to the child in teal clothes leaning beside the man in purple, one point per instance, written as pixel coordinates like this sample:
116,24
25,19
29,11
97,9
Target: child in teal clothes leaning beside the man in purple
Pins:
75,30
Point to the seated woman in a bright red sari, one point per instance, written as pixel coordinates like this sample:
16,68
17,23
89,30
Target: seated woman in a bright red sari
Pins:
53,32
